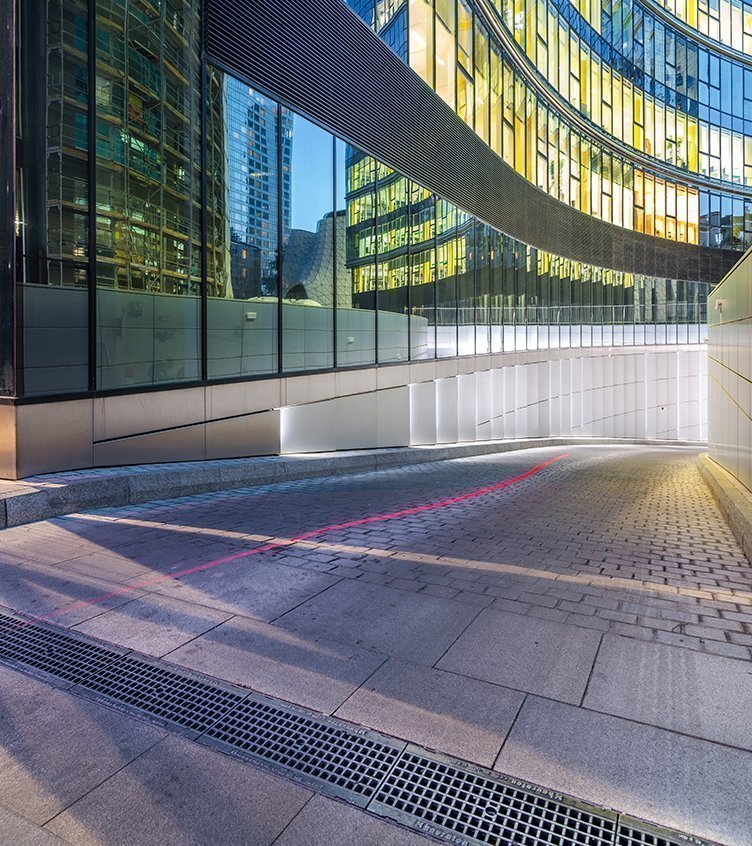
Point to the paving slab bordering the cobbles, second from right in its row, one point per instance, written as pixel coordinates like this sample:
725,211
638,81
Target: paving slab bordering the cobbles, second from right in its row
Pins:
524,653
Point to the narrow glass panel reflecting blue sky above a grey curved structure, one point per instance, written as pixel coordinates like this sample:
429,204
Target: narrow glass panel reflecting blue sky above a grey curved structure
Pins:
308,247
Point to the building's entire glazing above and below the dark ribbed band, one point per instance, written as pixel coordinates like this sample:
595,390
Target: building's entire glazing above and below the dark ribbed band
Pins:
317,255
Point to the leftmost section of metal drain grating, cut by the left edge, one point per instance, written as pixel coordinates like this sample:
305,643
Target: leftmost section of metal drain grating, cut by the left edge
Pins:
57,653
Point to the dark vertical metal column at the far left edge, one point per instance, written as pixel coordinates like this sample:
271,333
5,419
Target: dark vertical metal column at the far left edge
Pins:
7,195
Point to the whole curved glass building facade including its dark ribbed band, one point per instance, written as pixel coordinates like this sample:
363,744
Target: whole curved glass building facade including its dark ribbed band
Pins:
228,194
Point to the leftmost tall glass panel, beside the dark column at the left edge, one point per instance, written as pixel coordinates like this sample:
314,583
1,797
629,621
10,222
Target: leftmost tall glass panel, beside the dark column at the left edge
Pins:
52,215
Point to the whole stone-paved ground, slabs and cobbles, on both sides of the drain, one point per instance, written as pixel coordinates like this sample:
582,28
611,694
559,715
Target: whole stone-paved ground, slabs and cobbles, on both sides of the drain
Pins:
578,618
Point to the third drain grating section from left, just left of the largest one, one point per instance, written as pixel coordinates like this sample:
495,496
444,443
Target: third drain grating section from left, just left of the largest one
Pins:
351,762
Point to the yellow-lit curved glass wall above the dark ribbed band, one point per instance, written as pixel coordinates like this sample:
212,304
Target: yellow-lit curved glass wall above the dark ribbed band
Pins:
631,78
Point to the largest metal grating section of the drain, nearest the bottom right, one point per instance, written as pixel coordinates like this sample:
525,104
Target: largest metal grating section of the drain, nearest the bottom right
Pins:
481,808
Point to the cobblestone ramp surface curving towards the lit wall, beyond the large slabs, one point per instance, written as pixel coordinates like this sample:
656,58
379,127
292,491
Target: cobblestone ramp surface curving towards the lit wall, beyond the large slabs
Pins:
626,540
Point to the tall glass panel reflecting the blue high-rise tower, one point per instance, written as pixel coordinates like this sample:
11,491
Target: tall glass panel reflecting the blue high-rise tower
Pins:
247,192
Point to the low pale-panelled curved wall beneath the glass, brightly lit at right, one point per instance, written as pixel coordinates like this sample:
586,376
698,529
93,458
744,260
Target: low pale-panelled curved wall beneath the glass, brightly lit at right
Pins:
629,392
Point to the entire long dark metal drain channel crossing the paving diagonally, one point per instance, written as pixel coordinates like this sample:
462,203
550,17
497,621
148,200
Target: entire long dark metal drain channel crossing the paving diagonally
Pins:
442,797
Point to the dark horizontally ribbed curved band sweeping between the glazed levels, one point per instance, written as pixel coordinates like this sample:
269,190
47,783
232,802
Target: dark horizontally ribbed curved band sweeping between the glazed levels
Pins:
356,86
